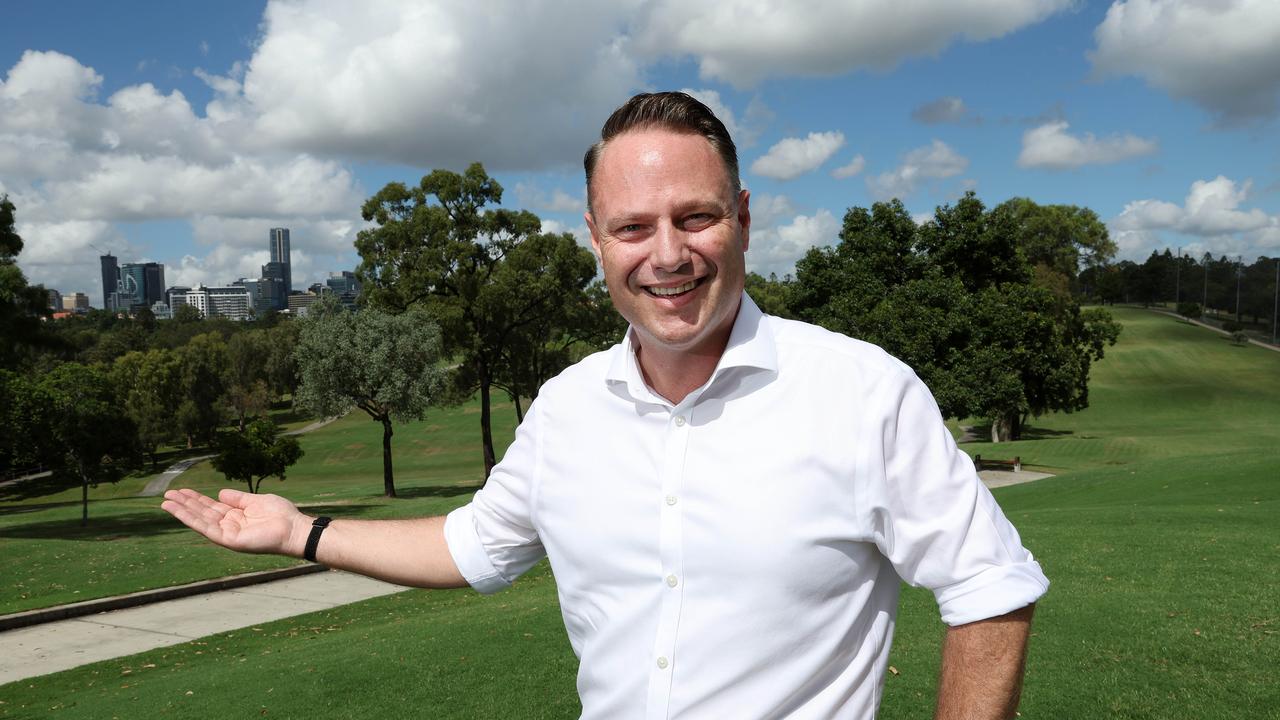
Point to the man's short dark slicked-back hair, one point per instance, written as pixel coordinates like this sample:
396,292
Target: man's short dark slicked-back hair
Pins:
678,112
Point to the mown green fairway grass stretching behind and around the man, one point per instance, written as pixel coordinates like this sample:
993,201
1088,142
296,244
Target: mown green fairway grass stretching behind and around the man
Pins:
1159,535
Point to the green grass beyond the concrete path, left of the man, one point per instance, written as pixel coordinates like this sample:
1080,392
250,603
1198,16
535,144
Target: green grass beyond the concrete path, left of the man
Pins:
130,545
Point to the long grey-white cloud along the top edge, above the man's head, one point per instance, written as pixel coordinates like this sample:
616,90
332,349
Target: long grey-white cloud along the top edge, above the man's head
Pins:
755,40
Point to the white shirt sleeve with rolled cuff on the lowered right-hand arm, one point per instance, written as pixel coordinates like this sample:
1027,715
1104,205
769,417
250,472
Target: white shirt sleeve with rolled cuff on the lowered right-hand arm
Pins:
935,521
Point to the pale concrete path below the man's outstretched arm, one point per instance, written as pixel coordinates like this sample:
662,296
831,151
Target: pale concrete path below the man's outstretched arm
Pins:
51,648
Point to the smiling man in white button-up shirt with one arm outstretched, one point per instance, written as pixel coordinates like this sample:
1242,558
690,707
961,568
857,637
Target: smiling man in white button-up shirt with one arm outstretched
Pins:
728,500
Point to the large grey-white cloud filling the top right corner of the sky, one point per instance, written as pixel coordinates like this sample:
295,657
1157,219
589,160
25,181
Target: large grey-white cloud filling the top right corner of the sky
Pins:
1220,54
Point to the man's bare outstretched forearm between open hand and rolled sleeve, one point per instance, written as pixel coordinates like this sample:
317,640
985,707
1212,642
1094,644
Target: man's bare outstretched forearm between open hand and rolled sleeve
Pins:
408,553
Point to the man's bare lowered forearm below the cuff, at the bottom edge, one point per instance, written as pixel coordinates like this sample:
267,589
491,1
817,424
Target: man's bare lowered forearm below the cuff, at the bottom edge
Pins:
982,668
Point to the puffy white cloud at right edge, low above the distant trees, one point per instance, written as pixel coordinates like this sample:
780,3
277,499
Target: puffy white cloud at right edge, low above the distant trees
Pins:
1210,212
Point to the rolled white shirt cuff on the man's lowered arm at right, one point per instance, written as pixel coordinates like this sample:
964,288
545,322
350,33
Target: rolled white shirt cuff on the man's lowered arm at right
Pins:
993,593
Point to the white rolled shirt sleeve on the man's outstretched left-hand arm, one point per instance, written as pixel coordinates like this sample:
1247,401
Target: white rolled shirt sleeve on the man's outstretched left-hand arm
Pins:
492,539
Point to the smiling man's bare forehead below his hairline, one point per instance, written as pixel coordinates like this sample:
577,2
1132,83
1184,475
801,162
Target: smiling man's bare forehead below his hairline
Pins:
653,165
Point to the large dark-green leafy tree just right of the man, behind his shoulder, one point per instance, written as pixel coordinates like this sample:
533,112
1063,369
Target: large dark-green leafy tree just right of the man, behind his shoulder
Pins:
957,302
